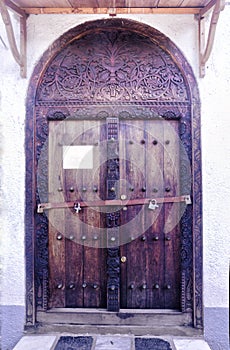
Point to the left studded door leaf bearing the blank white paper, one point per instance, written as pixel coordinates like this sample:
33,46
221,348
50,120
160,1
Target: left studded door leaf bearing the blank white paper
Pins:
77,259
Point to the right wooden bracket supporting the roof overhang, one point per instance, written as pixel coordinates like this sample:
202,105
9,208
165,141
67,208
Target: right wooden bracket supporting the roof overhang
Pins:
206,49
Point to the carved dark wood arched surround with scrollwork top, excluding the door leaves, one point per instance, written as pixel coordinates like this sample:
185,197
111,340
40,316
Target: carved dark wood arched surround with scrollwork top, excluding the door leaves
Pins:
102,69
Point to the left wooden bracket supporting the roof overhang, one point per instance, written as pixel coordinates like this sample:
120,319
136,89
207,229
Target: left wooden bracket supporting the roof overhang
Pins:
19,55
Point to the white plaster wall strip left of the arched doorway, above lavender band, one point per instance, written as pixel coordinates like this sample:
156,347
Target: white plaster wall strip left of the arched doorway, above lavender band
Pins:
12,116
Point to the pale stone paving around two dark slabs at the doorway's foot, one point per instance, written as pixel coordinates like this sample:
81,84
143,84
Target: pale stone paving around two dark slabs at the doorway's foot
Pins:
108,342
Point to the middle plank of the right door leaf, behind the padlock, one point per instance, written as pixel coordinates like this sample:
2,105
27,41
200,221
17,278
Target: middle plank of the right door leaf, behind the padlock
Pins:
155,218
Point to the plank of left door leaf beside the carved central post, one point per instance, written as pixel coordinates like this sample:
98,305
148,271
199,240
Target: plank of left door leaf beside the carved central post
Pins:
94,257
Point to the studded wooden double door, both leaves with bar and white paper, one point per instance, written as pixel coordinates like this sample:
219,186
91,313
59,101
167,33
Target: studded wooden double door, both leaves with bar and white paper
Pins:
110,188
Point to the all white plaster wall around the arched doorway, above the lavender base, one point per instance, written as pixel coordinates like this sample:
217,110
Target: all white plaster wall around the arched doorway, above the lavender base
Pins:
182,29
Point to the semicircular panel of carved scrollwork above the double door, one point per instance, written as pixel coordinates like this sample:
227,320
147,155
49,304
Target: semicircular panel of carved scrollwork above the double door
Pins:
113,66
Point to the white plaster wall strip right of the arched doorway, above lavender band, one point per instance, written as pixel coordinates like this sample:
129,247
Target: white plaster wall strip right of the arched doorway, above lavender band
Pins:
215,99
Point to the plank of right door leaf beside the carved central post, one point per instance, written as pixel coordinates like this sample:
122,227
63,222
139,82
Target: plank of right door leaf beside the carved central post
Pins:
133,177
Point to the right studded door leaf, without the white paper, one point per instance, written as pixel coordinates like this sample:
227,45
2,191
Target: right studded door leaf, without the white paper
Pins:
149,168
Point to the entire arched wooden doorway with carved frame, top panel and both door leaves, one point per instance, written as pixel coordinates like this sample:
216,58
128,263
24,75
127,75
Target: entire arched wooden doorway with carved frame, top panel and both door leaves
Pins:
100,89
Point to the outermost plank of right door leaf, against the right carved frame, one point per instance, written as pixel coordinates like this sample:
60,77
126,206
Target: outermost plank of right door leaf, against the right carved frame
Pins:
171,223
